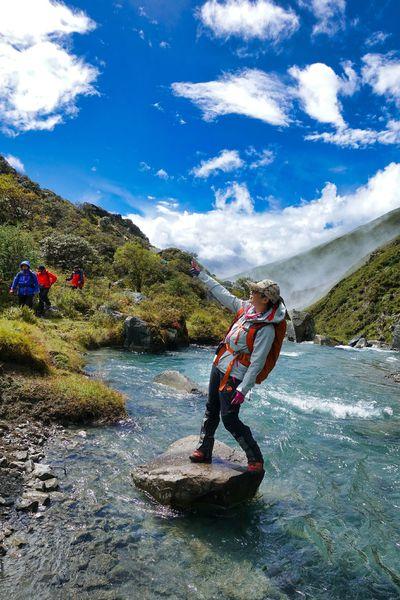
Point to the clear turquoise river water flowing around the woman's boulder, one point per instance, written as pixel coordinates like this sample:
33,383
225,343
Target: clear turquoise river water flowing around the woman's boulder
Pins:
325,526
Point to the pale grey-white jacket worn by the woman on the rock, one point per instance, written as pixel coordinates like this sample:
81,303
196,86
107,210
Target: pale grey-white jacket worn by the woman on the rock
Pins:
237,336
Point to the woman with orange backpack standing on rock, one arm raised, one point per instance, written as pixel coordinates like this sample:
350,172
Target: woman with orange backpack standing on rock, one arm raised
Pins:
246,356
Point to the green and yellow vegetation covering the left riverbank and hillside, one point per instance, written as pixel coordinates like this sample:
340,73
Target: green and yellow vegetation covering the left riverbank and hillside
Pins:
42,359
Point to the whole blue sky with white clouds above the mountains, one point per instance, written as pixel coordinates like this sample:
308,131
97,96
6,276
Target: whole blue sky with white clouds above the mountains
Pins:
192,117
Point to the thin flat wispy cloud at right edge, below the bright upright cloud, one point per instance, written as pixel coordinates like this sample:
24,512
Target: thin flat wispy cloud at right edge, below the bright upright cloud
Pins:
360,138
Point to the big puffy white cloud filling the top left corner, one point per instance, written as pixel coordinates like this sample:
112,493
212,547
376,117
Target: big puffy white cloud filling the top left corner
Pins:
40,79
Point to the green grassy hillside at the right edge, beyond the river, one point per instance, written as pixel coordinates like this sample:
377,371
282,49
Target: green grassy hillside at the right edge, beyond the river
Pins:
367,301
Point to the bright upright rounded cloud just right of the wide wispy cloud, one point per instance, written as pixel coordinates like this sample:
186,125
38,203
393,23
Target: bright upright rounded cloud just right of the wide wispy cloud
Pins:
319,87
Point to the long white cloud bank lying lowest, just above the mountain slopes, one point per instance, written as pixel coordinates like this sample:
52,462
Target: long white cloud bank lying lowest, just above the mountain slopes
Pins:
251,238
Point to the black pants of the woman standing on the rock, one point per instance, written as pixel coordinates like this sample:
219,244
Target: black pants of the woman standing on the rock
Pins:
219,403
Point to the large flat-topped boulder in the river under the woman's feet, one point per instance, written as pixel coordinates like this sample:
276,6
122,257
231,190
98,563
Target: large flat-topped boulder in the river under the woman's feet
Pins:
173,480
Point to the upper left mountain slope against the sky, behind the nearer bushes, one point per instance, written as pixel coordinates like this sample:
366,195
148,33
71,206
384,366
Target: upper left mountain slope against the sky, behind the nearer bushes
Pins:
42,212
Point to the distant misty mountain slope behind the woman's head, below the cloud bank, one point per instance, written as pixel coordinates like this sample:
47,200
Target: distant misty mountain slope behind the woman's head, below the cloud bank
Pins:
306,277
